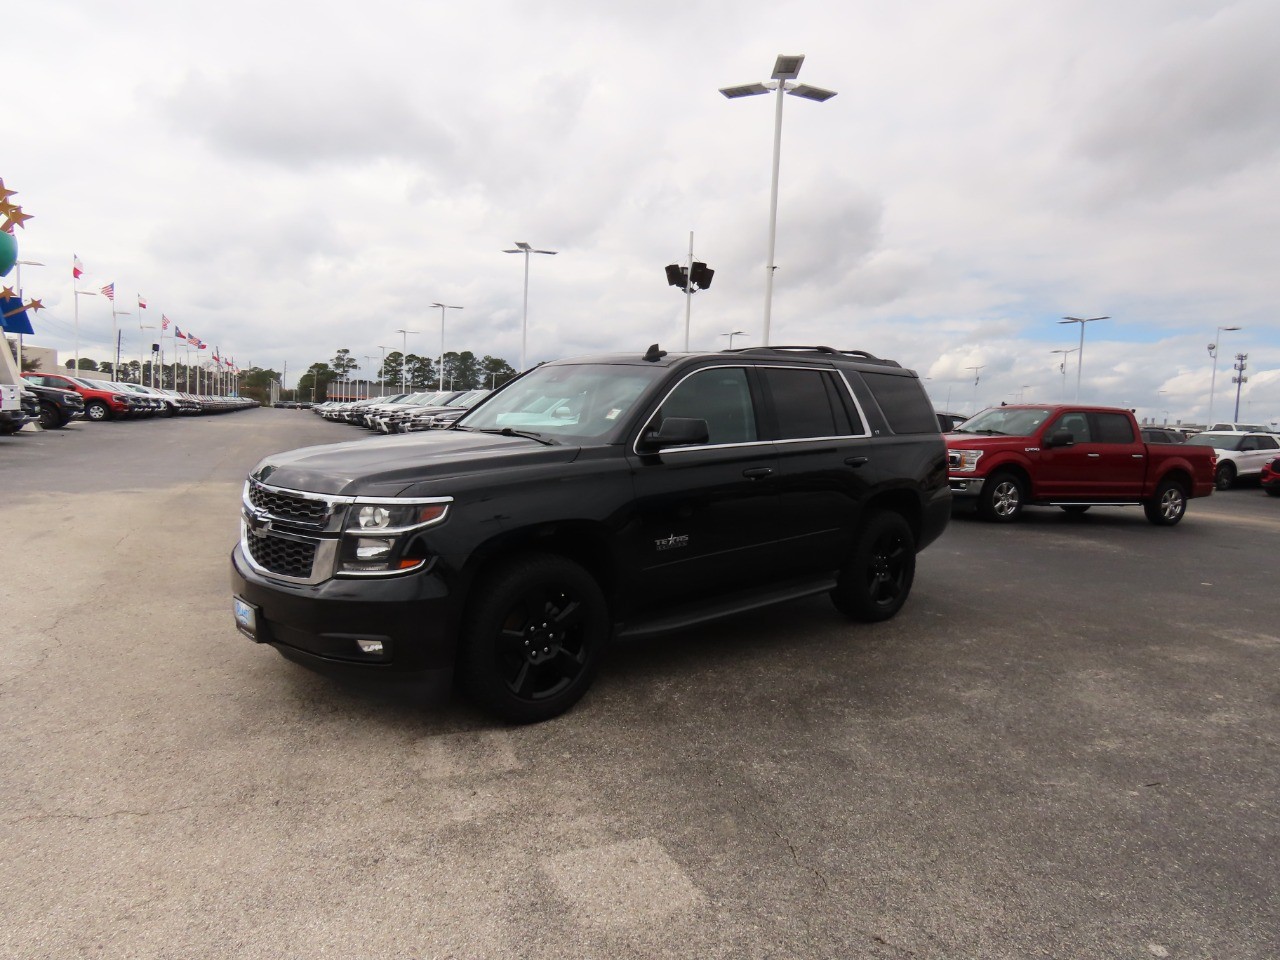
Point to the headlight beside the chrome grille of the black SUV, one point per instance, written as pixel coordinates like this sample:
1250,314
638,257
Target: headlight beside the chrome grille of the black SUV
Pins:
381,534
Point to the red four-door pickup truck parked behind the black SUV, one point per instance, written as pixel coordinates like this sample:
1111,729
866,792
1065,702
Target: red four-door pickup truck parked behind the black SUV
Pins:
1011,458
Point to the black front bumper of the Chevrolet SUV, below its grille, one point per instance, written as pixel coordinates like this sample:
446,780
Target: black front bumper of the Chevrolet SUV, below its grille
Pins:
415,618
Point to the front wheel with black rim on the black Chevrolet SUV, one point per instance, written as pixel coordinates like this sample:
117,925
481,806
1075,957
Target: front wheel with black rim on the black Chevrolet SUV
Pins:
533,638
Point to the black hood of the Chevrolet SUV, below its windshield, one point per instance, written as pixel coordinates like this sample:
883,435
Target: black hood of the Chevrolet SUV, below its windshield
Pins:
387,467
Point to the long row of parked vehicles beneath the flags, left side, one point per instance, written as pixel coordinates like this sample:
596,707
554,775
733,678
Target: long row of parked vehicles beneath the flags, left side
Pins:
56,400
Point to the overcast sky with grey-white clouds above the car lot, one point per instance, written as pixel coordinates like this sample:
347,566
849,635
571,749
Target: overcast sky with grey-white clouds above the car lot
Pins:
284,180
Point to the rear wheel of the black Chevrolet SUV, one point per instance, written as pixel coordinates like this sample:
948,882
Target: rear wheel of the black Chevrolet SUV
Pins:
876,582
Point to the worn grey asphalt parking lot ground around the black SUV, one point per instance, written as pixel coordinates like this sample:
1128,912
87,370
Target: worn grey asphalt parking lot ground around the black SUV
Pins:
1064,747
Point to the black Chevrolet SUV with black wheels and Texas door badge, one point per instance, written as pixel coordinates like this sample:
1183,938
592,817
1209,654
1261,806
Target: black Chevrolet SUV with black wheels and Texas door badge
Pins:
592,501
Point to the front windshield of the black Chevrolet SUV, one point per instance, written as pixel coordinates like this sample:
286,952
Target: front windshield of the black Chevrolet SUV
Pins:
565,400
